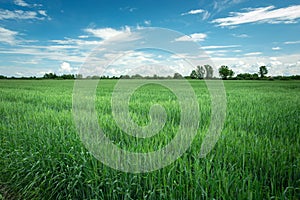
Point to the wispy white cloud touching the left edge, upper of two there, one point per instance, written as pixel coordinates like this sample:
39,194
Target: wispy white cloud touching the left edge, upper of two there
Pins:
19,14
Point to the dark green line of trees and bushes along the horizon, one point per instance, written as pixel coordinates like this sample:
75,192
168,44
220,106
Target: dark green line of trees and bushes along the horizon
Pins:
200,72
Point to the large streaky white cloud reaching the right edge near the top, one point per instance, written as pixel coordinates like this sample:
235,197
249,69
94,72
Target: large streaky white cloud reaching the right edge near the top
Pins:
263,15
